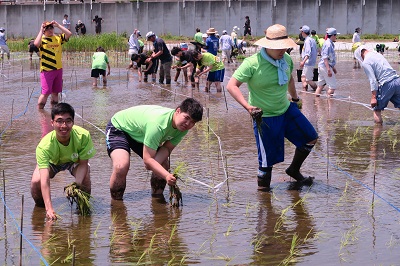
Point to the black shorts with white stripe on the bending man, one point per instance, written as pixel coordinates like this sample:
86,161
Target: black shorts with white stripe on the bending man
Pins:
118,139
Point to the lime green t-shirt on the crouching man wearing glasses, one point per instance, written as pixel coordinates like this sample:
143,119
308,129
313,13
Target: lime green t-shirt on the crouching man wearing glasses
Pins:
50,150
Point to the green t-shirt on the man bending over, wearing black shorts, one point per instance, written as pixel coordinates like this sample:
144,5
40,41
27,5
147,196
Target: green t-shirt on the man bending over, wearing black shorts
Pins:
148,124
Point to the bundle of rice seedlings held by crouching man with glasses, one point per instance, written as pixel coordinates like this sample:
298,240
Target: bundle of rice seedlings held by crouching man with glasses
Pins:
80,197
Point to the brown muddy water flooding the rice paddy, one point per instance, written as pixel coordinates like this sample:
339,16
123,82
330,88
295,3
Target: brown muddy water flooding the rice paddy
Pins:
346,217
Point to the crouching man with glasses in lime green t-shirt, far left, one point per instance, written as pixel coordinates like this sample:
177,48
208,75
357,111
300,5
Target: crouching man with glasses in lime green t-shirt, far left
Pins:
67,147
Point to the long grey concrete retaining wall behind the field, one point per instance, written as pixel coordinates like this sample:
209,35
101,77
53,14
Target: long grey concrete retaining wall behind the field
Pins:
181,18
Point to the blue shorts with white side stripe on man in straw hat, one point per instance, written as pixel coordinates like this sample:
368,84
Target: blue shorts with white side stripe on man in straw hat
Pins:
292,125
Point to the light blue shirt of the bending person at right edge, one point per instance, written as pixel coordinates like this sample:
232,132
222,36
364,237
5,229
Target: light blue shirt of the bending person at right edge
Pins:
378,70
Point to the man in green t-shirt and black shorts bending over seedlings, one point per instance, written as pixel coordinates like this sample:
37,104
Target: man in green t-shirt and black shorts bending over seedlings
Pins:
152,132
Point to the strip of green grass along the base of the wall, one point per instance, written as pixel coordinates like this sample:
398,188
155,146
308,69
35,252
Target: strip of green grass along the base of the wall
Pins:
119,42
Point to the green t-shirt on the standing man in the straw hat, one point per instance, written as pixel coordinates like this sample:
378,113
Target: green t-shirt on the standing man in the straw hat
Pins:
262,80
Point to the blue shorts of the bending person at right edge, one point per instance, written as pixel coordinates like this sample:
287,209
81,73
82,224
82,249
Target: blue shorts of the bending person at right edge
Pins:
390,91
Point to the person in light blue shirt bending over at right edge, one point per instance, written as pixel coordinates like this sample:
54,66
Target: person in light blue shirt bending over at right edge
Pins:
383,79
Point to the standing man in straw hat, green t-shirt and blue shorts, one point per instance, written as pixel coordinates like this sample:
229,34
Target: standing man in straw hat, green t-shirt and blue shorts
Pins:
268,77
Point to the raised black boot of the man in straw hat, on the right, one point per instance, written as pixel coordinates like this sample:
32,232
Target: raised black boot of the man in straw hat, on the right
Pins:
294,169
